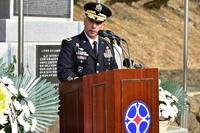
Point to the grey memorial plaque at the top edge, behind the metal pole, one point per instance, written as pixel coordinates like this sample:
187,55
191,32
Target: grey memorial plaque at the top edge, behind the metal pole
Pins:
45,8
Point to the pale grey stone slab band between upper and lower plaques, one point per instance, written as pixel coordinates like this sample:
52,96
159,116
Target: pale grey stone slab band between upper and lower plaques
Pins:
39,29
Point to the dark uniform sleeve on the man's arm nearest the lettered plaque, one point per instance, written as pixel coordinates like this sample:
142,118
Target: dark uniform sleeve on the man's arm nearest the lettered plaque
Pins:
65,64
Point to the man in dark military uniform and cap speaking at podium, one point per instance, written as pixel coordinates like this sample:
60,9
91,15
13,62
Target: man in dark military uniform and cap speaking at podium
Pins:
87,52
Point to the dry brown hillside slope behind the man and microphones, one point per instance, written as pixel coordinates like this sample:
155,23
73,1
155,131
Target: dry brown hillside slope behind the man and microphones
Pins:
156,37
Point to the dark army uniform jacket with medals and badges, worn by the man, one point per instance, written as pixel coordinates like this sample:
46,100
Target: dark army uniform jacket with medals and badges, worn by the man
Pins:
77,58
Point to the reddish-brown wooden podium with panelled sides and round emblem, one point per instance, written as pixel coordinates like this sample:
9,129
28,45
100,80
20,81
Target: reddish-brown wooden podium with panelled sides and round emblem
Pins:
97,103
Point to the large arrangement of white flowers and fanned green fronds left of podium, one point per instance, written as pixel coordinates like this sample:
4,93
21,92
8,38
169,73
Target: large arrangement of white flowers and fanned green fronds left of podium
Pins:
27,104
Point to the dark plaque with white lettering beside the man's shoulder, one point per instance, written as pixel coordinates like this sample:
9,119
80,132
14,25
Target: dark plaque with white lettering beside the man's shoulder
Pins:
46,62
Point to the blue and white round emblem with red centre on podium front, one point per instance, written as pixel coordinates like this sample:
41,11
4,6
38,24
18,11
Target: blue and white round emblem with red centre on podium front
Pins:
137,118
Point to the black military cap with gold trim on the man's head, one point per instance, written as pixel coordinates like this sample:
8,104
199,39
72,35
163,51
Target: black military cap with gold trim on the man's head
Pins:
97,11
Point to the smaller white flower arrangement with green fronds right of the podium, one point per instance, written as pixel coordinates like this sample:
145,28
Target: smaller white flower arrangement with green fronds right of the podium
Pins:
172,100
